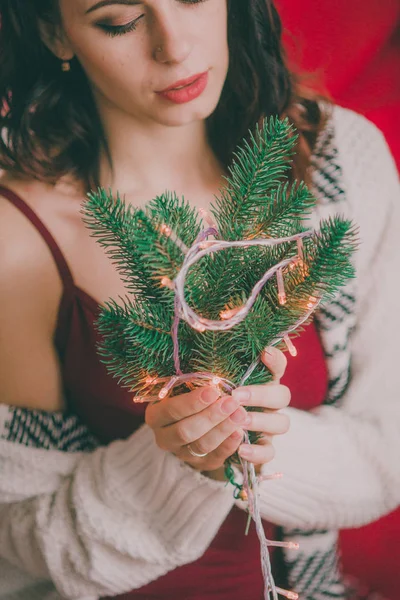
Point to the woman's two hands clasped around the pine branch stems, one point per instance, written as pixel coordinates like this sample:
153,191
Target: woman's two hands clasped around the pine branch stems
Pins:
214,424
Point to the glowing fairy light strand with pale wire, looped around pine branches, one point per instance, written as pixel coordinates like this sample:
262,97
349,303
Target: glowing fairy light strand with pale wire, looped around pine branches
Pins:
229,318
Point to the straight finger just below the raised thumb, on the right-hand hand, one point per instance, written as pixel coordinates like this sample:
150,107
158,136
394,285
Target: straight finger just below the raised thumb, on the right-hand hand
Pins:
269,395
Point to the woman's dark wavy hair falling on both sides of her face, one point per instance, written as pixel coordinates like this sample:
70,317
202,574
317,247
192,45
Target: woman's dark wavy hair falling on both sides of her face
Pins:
49,125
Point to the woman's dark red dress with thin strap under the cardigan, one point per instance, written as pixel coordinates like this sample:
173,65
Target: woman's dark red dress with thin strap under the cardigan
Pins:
230,568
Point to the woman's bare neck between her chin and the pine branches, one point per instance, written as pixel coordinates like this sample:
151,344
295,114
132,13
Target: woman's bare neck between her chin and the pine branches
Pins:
149,158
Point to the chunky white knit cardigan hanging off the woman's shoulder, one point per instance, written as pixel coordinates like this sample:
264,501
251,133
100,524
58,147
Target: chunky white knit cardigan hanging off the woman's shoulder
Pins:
81,525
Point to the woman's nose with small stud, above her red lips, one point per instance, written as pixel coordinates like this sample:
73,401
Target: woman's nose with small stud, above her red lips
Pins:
172,39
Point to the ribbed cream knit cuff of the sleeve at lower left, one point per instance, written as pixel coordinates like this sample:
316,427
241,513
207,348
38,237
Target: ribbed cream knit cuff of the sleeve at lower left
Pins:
184,507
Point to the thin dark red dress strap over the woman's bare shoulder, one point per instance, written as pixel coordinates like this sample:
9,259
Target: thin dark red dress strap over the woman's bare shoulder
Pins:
20,204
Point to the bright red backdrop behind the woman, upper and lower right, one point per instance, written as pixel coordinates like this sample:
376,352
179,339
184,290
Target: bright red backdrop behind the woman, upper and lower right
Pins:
352,50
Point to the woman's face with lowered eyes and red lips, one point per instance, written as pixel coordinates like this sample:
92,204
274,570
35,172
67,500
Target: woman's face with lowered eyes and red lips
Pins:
116,43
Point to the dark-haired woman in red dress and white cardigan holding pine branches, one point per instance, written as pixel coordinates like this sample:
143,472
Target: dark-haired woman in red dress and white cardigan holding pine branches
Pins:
95,502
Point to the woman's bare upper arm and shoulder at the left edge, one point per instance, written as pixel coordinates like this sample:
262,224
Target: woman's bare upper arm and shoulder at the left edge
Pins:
30,291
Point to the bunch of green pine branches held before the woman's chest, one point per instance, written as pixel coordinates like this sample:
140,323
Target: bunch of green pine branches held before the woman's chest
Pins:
257,202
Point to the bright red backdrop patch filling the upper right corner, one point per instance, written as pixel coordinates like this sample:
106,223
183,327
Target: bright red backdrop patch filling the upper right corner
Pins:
352,47
